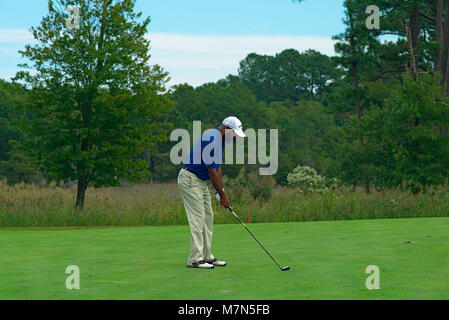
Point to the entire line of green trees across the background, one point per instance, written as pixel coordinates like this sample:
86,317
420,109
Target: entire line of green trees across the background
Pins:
95,111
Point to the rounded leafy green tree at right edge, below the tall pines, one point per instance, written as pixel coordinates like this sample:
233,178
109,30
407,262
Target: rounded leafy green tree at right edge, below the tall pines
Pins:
403,142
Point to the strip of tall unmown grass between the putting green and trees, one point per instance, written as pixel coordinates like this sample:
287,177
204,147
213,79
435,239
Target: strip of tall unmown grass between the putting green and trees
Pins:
160,204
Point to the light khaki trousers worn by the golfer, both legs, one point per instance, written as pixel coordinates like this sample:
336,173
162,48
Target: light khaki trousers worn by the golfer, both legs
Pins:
197,203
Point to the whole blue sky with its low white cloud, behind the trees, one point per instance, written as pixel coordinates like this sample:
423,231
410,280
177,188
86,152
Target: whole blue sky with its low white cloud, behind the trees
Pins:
199,41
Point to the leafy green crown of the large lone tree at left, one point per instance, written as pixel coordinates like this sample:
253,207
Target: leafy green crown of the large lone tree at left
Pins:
94,95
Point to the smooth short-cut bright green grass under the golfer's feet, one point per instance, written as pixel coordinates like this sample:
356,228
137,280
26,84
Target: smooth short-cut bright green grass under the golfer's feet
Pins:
328,261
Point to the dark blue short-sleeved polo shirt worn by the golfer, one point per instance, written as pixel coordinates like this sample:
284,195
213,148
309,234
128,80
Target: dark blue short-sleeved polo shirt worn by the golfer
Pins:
206,153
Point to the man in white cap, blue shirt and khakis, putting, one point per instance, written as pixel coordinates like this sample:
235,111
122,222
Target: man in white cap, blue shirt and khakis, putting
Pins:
203,164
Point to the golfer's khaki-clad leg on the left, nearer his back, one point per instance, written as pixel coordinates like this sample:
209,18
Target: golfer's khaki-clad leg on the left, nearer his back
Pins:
191,190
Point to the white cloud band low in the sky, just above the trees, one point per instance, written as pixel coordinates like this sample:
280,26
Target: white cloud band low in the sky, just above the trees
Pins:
194,59
